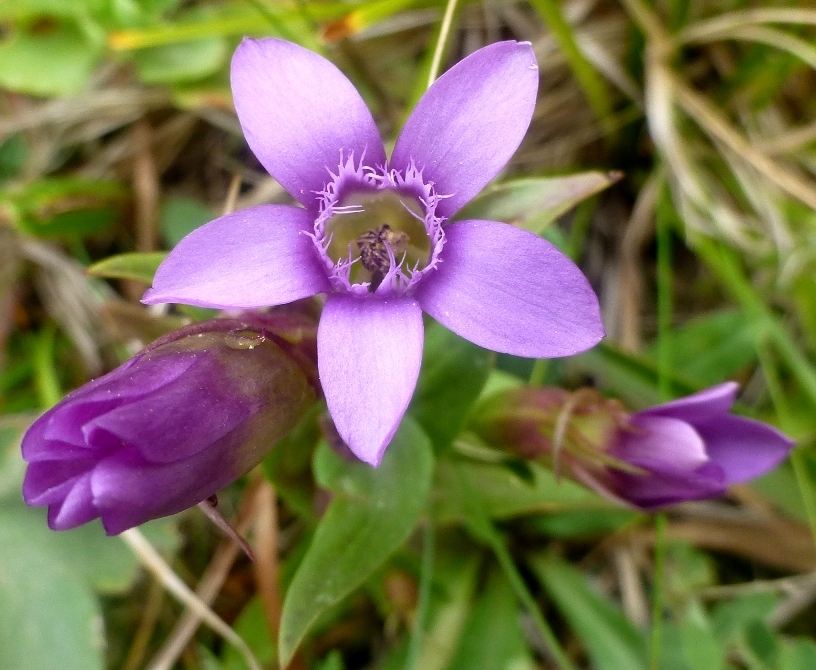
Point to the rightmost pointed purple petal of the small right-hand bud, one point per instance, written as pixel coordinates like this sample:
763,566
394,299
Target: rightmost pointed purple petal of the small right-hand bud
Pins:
744,448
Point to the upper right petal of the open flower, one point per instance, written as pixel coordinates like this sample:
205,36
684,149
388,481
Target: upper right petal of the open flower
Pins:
471,121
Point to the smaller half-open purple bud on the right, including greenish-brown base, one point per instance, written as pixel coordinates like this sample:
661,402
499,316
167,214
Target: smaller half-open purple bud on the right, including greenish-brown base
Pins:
688,449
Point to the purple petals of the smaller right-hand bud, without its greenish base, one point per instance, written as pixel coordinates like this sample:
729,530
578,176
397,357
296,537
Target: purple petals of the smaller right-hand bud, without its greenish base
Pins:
691,449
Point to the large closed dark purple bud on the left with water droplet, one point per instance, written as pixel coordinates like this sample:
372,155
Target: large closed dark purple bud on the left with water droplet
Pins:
188,415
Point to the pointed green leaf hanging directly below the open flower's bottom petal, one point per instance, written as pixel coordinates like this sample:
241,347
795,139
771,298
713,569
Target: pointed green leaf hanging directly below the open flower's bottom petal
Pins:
373,512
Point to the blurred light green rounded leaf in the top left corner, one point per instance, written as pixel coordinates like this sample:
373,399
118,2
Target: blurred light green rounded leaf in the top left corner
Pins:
48,57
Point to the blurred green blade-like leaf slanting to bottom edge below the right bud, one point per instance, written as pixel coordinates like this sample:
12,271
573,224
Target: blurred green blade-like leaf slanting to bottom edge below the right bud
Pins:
610,639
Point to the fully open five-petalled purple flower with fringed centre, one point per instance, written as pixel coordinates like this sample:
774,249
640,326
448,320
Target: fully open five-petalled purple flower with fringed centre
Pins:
375,234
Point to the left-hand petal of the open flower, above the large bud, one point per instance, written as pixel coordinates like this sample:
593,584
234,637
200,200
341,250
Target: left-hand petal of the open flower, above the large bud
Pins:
258,257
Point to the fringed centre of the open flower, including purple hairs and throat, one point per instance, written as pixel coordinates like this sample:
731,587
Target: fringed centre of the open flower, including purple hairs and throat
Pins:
377,230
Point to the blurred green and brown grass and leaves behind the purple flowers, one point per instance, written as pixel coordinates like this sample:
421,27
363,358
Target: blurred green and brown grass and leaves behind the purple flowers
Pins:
688,128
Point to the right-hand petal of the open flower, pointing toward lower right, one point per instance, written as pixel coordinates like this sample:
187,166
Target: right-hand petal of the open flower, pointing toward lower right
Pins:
511,291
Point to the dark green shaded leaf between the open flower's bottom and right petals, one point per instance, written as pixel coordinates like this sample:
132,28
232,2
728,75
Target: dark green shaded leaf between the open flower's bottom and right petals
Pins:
453,374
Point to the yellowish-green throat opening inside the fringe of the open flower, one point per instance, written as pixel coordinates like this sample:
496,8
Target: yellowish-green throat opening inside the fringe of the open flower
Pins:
376,231
